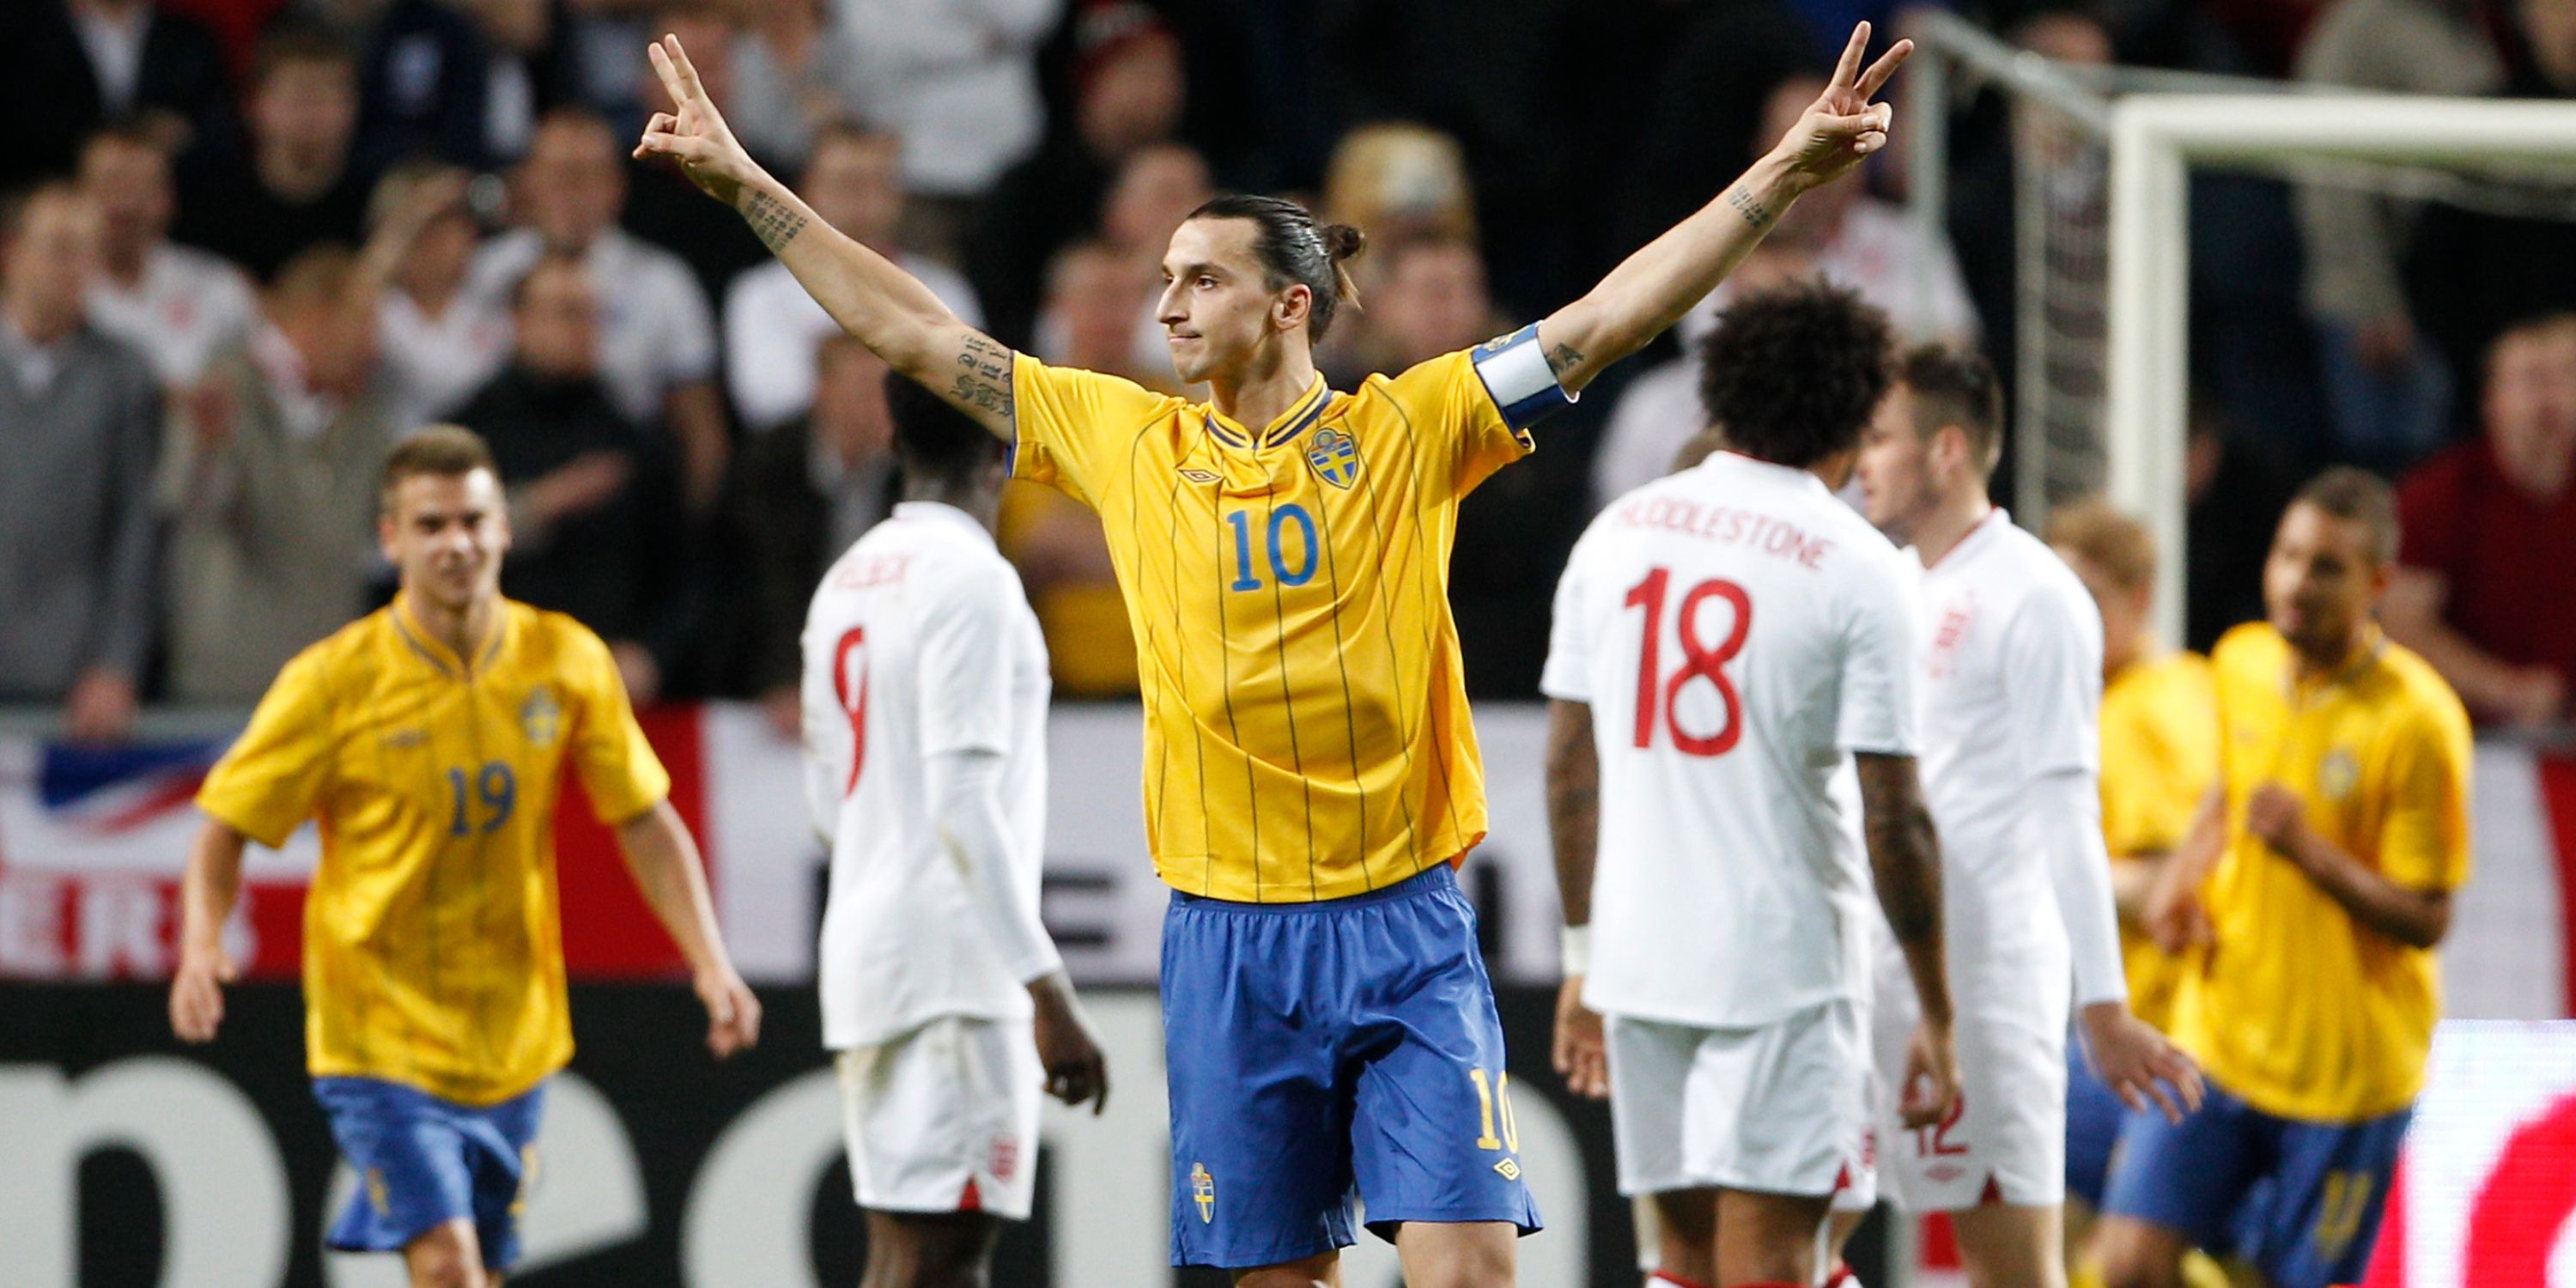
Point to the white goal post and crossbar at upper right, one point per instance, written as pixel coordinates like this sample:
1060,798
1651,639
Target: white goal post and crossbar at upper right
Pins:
2155,140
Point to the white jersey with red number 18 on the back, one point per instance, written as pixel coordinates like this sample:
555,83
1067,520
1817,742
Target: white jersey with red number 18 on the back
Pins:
1738,635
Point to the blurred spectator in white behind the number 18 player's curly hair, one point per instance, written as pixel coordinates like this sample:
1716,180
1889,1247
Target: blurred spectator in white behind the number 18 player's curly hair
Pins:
1838,233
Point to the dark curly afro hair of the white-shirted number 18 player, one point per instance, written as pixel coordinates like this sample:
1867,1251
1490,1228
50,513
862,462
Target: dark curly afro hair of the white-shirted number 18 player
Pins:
1792,375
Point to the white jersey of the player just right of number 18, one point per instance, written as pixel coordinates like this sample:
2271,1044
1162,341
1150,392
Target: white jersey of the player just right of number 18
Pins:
2011,692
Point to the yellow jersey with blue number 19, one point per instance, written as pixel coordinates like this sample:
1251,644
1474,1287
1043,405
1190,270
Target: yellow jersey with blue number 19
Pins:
431,939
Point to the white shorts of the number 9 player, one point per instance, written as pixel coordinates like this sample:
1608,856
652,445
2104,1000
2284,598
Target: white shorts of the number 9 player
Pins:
944,1119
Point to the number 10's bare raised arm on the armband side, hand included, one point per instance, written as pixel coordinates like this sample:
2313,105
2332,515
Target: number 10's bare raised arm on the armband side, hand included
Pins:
1655,287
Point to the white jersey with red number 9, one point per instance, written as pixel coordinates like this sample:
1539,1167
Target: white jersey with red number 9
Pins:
918,643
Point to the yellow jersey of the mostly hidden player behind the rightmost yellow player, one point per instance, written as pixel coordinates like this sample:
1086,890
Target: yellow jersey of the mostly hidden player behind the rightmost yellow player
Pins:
2160,756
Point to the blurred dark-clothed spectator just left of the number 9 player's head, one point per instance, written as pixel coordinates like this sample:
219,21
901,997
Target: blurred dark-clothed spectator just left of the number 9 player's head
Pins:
805,493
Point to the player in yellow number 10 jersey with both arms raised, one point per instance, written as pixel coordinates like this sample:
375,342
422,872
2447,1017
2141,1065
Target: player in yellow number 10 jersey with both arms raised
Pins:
1310,761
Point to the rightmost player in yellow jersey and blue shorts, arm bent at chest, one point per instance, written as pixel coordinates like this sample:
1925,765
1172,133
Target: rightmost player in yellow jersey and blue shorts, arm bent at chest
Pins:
2335,844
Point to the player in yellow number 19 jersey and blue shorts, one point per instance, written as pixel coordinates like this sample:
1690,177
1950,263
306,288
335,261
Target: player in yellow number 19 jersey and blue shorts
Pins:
429,743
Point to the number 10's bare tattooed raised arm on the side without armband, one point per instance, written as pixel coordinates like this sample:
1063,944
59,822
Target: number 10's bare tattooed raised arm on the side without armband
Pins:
875,300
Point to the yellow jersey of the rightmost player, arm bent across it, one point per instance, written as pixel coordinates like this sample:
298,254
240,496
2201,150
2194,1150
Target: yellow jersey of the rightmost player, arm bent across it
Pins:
2299,1009
